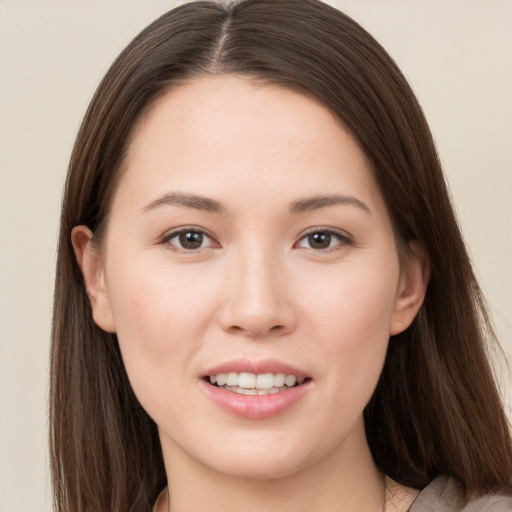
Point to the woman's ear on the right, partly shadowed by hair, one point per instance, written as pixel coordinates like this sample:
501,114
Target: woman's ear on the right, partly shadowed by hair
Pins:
412,287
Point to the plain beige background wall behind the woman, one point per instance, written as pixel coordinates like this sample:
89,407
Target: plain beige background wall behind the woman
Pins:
457,55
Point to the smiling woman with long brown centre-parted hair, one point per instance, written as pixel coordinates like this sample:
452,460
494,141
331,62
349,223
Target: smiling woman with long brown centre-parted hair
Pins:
263,298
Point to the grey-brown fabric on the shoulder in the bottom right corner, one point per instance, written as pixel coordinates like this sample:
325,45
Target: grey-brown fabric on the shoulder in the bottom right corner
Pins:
445,495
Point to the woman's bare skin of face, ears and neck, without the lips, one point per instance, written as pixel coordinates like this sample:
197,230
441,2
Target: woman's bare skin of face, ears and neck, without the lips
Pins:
256,288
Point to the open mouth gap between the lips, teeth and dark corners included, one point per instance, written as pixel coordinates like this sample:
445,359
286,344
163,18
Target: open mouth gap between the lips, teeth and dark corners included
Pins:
252,384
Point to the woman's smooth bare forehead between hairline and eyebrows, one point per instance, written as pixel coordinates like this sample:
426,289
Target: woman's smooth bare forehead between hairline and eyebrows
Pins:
219,133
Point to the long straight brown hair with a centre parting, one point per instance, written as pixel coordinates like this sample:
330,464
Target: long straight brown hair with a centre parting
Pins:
436,409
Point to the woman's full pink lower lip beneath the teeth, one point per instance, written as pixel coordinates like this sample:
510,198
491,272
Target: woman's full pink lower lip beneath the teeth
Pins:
256,407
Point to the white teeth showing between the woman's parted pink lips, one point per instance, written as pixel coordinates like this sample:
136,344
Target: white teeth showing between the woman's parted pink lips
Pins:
253,382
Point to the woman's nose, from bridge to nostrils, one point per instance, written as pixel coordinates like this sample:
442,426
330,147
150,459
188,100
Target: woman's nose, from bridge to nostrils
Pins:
257,298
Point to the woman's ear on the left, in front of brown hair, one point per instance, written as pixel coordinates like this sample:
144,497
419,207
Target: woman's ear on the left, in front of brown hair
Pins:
91,266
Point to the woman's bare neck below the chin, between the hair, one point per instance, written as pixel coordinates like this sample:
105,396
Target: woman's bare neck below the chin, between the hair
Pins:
345,479
